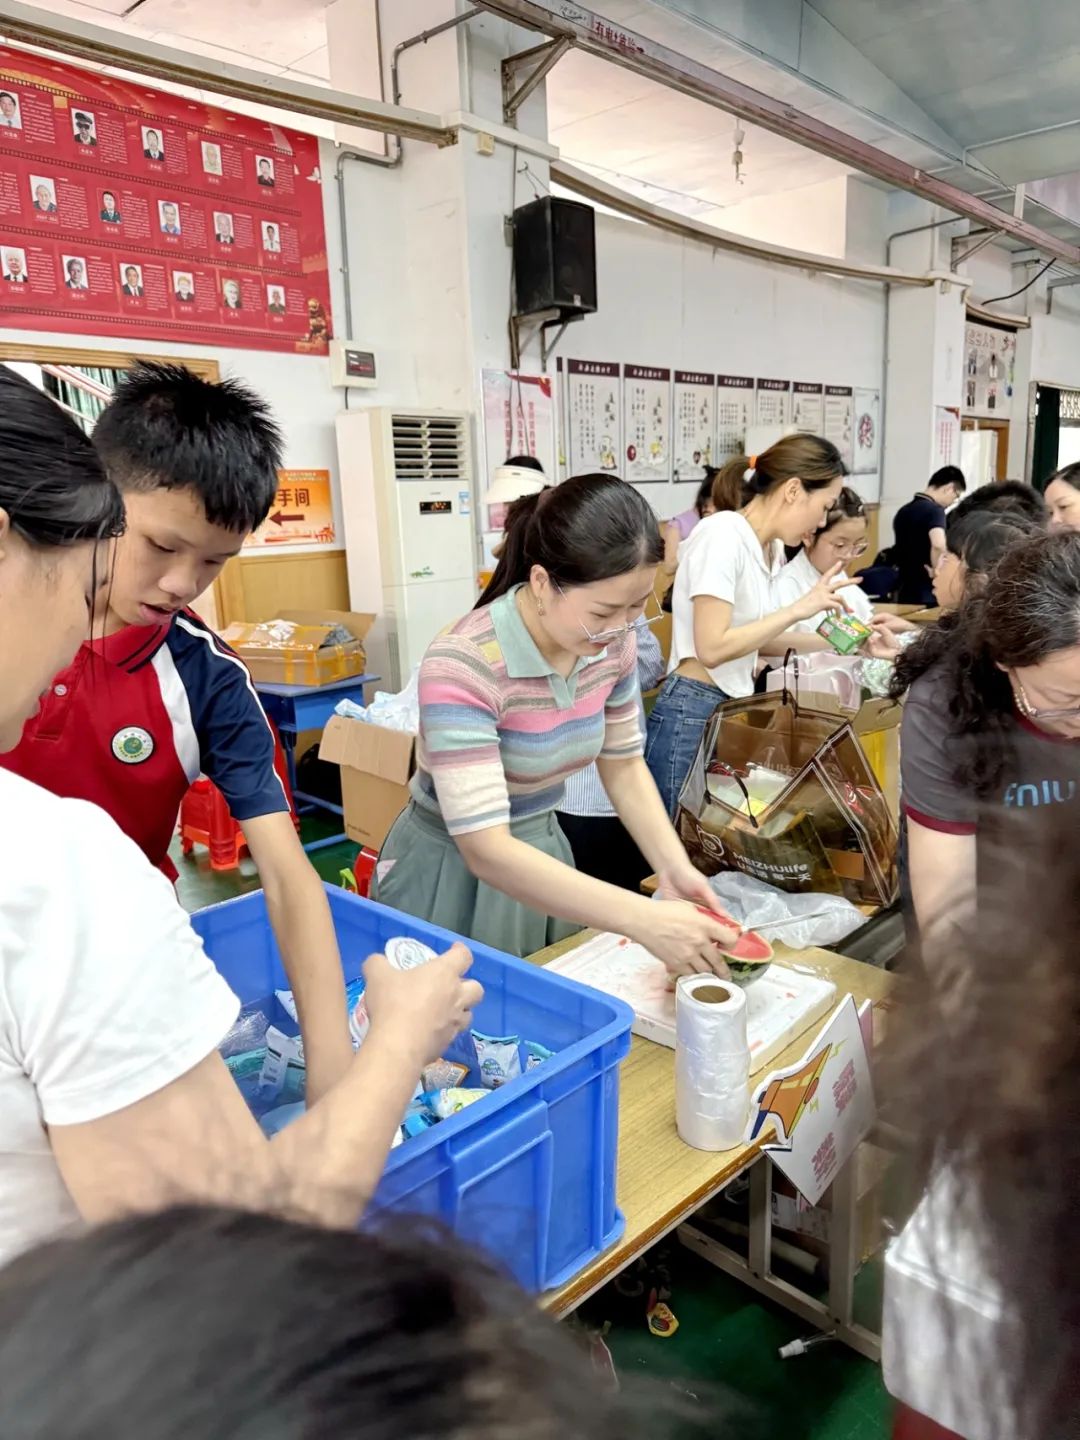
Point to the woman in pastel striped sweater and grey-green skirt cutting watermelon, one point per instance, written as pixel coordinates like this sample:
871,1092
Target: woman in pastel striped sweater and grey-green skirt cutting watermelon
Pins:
531,688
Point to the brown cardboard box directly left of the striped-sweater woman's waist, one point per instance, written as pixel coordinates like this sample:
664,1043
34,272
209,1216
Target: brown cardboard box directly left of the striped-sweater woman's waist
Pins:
377,768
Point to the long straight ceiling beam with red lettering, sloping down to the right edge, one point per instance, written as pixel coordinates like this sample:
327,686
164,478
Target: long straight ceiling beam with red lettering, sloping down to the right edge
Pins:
634,53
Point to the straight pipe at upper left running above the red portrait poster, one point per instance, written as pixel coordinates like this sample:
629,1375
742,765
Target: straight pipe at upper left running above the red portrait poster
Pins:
27,25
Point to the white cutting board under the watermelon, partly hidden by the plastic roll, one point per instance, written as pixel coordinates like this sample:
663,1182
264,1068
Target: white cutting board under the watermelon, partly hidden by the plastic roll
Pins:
780,1006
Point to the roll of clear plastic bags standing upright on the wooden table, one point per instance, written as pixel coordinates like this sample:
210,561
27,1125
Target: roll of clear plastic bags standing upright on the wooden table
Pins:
712,1063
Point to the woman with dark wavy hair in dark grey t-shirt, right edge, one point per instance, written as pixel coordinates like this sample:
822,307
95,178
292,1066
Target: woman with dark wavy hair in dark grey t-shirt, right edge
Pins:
993,719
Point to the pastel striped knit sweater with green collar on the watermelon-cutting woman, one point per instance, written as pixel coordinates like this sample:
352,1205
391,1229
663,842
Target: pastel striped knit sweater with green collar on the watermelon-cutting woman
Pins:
500,731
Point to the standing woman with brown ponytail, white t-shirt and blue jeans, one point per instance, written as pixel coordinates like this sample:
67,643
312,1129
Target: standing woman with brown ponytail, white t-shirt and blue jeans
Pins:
724,608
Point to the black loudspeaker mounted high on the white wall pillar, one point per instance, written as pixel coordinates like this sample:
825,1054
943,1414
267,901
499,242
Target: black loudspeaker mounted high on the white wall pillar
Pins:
555,257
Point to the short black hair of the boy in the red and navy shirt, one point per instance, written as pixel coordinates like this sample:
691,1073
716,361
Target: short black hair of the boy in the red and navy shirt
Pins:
169,430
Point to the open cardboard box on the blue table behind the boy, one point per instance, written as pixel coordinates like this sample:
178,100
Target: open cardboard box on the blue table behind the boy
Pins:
305,659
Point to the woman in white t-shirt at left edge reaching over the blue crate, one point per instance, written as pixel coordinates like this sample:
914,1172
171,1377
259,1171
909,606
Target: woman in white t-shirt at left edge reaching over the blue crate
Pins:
113,1095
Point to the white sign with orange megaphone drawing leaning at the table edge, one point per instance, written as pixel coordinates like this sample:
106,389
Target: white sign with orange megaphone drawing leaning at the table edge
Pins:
822,1107
